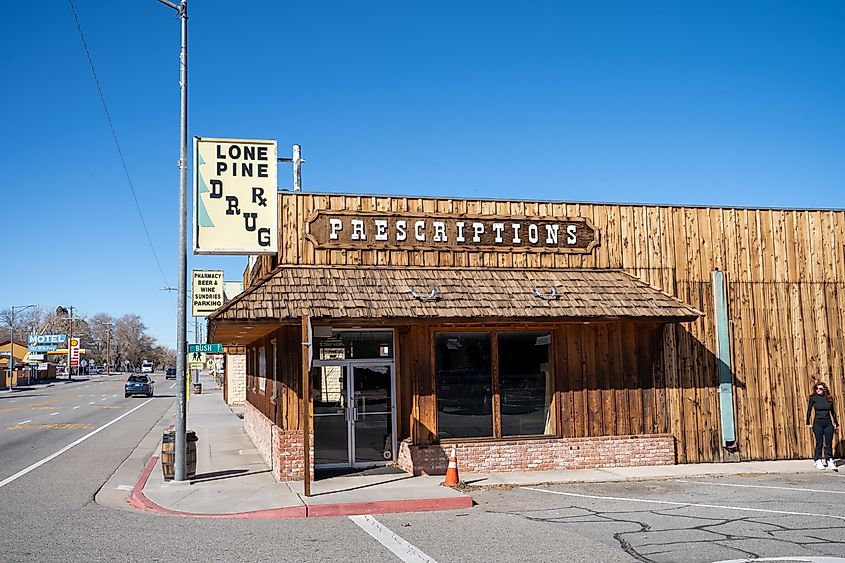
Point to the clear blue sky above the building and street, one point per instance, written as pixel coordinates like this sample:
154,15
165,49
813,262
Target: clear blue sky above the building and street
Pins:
718,103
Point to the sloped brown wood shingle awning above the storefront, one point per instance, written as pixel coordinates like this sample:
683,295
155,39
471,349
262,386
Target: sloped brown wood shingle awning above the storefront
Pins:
367,292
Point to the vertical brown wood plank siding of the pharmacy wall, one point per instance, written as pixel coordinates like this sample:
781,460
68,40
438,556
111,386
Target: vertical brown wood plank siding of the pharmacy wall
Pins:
786,291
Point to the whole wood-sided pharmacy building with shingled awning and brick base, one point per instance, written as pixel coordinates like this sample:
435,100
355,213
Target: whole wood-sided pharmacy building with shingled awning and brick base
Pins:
536,335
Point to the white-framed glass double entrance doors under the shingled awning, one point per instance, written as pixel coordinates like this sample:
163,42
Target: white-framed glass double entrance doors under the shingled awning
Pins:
353,414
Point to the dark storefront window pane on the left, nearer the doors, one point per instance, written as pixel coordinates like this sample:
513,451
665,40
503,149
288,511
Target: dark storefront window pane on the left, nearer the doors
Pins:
464,385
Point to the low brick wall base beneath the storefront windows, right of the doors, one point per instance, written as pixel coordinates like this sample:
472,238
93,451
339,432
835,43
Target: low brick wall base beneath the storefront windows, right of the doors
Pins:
540,455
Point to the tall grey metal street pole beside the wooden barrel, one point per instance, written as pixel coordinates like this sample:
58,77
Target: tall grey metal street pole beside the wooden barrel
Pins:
179,469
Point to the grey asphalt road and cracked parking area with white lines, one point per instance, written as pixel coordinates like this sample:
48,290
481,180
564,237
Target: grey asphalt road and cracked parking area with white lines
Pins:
49,513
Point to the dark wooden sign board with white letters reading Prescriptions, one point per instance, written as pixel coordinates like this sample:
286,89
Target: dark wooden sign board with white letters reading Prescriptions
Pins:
359,230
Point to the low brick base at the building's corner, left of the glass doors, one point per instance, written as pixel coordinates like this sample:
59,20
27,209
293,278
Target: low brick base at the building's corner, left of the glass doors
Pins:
281,449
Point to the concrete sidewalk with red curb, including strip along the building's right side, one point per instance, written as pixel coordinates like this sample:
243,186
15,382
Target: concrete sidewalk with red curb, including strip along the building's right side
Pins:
233,481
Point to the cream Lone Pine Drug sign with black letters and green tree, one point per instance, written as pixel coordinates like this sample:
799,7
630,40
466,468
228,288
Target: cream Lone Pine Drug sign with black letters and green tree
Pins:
235,207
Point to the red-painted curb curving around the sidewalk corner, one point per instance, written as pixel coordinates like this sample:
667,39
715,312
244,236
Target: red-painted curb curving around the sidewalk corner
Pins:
139,500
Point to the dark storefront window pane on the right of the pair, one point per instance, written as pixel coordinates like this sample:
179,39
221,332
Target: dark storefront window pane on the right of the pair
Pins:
525,383
